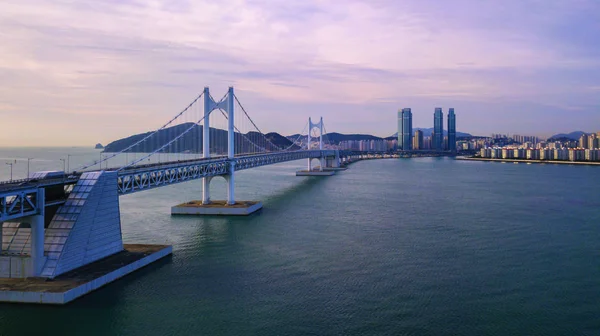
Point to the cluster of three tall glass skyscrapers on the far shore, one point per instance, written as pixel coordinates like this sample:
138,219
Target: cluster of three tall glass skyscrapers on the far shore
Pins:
407,140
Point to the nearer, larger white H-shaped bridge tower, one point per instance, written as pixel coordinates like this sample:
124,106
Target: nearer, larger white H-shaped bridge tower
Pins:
227,105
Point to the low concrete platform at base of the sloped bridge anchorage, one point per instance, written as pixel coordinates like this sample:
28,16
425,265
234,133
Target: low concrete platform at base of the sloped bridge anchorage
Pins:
71,285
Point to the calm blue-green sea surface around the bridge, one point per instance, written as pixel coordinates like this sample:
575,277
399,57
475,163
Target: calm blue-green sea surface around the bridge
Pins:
428,246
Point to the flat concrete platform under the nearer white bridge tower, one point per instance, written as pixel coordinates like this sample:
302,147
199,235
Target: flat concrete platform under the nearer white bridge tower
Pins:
216,208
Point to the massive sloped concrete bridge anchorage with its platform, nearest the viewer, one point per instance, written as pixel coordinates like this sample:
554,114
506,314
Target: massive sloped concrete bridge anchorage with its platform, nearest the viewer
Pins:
78,243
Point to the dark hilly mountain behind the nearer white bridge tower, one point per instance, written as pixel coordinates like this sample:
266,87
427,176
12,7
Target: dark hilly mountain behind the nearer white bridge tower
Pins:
192,141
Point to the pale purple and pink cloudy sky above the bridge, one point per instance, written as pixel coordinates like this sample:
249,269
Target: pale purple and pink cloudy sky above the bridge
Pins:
81,72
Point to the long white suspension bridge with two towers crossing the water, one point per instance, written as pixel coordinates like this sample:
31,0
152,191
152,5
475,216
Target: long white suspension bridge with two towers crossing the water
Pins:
55,222
